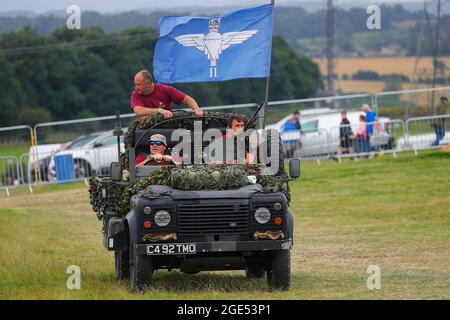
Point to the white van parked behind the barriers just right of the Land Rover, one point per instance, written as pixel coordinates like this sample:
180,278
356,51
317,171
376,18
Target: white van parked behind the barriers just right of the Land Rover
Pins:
320,130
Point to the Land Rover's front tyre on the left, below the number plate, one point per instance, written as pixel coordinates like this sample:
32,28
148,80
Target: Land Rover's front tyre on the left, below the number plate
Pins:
141,270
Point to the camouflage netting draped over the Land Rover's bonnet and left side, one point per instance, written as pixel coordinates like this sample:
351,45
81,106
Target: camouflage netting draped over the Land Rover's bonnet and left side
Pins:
195,177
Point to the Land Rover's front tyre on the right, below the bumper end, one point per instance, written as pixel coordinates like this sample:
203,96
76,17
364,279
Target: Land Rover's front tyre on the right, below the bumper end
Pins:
279,271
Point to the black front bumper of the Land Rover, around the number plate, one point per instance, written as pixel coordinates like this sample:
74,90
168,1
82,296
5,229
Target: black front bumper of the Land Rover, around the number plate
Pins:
232,246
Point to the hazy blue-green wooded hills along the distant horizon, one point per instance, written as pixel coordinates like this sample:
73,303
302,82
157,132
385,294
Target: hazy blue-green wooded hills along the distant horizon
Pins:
303,29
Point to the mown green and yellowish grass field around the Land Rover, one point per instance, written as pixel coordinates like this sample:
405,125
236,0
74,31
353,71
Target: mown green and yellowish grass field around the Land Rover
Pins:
394,213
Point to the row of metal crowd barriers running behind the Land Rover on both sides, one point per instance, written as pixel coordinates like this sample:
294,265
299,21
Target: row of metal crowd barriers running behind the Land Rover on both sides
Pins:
40,164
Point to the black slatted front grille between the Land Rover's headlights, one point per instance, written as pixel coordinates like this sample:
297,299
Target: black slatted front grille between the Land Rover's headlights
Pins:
212,217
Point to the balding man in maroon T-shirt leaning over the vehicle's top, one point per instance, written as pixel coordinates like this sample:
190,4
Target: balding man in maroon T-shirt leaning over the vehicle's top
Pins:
149,98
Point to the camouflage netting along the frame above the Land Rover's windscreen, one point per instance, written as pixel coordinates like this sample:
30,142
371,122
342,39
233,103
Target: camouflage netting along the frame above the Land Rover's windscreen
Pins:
180,120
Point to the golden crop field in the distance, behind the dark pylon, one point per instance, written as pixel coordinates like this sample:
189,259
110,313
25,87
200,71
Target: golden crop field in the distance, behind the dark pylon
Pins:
381,65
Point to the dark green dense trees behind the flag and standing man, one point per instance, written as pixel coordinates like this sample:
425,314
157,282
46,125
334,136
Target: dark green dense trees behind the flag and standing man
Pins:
83,73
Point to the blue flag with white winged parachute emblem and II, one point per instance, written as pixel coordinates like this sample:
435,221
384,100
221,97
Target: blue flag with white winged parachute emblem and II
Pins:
205,49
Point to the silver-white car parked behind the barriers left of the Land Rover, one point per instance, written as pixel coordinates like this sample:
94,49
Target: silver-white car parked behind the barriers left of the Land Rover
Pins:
90,152
